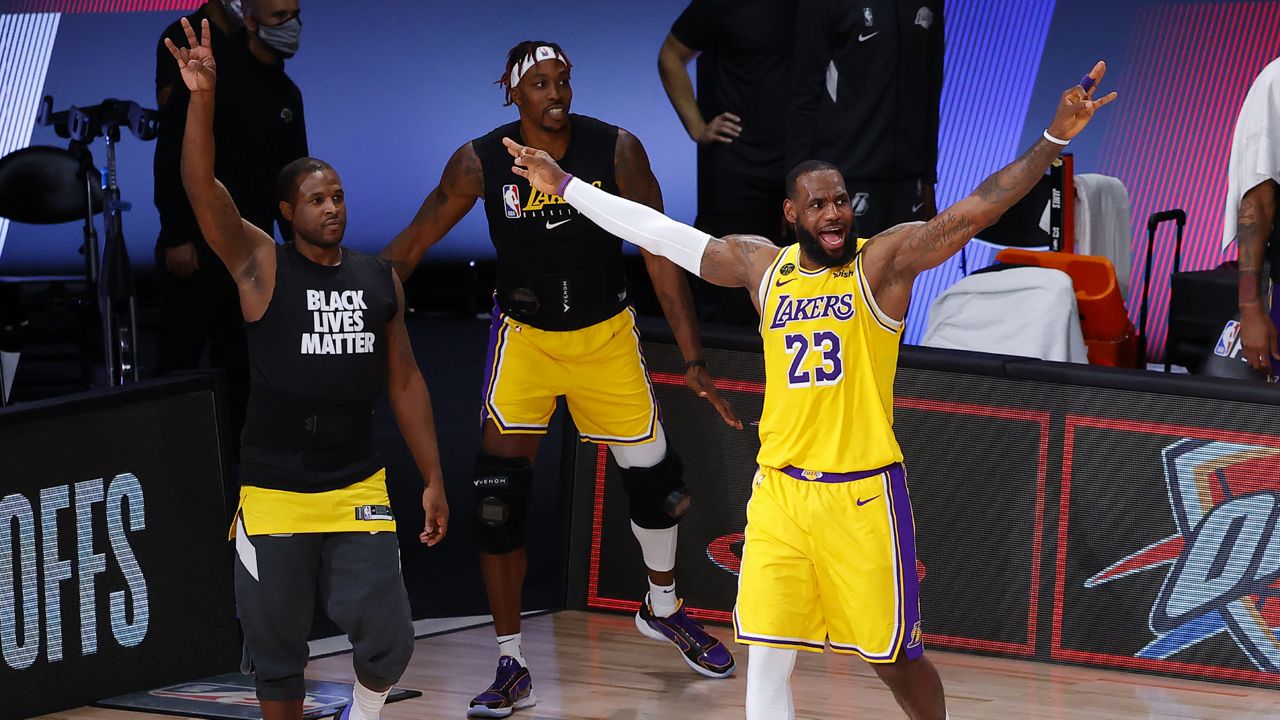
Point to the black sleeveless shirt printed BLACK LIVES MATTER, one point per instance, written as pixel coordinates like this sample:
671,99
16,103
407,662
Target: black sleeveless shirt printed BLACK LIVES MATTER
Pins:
318,363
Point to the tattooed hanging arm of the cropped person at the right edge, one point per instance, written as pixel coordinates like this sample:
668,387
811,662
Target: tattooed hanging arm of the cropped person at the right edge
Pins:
1252,230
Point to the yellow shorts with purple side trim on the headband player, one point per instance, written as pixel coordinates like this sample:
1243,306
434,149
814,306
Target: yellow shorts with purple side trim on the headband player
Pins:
598,370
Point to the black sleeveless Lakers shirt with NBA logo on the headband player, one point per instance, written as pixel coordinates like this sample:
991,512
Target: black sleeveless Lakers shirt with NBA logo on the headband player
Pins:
557,271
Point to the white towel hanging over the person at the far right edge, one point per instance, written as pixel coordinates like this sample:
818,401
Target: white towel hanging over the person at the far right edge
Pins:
1255,147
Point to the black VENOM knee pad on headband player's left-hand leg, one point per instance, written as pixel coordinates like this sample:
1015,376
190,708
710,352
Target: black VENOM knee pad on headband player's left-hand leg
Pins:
502,503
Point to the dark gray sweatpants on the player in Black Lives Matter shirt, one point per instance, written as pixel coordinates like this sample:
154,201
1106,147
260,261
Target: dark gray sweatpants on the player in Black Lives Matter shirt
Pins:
359,580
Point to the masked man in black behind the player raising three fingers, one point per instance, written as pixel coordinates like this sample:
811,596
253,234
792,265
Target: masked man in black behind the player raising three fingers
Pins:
259,130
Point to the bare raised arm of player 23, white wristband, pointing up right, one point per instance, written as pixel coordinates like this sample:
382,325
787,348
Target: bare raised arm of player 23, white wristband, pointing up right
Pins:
897,257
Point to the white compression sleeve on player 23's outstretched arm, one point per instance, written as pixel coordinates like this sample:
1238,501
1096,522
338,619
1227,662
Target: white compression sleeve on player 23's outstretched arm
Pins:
641,225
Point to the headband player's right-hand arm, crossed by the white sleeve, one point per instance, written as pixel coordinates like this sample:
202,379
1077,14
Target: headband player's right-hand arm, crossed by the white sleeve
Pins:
637,183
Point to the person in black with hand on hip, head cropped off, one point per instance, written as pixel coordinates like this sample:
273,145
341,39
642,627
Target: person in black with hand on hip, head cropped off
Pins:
747,49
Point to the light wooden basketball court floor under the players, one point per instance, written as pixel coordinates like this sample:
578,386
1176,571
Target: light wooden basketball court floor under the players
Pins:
591,666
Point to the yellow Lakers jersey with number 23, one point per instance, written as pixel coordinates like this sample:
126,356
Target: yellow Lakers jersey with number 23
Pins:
830,359
